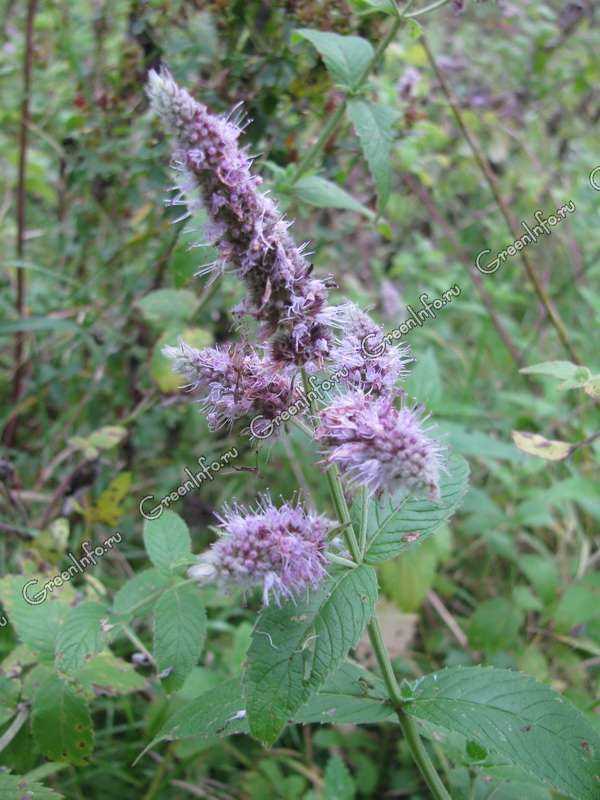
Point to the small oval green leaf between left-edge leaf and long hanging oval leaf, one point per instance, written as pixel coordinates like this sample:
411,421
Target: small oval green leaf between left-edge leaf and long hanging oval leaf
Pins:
80,636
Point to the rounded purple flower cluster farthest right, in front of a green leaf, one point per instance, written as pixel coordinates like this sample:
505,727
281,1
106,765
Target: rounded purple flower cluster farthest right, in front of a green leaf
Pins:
378,446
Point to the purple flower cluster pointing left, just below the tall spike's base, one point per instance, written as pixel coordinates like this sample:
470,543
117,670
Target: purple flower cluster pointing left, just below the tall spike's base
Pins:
235,382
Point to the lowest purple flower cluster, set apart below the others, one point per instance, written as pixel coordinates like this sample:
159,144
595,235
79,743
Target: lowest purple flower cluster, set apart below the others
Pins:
282,549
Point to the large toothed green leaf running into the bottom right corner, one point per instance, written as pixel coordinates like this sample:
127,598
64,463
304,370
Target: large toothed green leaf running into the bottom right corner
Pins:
514,716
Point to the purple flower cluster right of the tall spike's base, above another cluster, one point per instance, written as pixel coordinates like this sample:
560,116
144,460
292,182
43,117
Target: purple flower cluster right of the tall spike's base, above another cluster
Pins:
373,364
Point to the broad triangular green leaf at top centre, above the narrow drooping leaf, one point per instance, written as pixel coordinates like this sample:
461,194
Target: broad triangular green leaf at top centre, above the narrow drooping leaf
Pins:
346,57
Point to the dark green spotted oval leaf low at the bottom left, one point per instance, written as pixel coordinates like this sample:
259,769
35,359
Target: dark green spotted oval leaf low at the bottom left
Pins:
61,722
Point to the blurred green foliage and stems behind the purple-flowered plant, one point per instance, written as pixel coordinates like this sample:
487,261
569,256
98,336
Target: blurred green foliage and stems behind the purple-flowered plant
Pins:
100,422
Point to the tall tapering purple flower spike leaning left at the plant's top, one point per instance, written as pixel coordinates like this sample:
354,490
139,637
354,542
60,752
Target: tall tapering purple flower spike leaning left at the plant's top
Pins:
245,224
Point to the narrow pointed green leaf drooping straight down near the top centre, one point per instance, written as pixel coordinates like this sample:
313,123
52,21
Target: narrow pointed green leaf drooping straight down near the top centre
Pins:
374,127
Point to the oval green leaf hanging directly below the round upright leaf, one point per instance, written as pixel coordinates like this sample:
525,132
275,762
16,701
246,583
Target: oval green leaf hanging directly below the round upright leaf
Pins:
179,633
